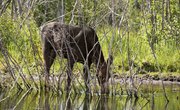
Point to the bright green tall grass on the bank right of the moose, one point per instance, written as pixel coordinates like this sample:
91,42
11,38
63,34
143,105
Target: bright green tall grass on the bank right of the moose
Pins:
168,58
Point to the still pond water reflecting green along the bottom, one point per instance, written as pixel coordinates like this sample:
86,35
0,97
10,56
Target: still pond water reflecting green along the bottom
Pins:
148,100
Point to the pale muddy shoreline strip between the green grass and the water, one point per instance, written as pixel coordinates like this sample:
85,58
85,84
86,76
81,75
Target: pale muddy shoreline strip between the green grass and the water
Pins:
6,80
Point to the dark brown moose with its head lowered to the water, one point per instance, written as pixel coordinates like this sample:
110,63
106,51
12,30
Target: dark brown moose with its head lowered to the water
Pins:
76,44
